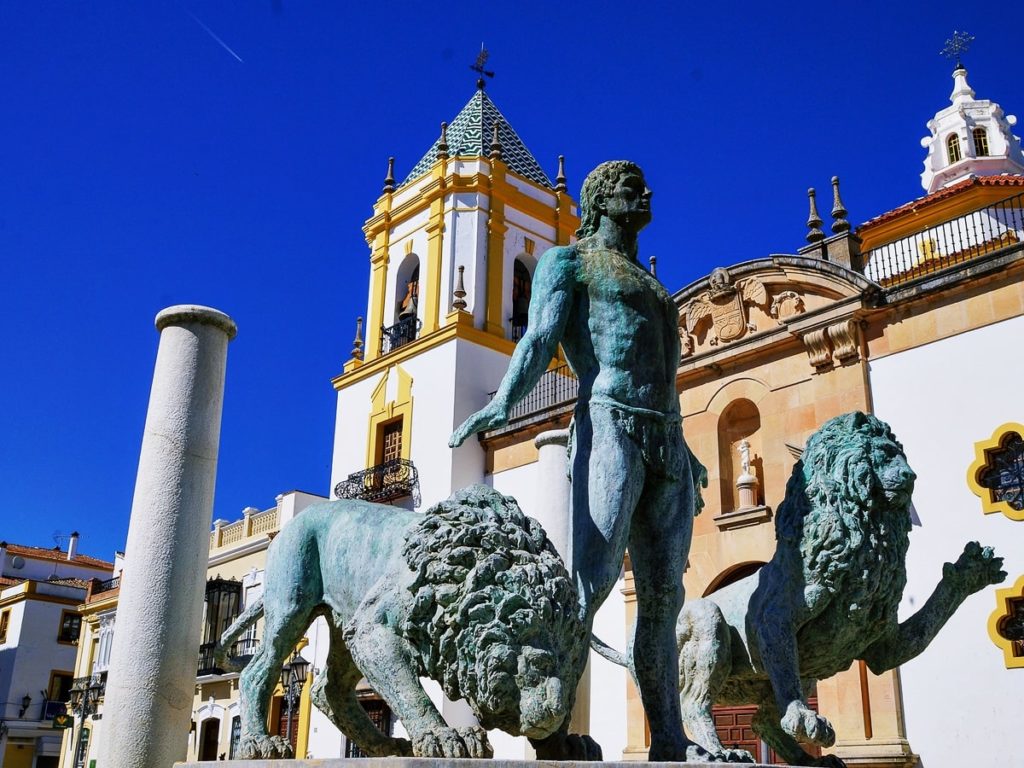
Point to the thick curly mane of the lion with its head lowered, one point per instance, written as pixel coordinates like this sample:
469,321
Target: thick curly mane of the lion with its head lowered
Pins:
488,583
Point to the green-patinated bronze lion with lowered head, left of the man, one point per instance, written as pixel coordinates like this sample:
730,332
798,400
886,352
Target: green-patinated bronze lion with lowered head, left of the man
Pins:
472,594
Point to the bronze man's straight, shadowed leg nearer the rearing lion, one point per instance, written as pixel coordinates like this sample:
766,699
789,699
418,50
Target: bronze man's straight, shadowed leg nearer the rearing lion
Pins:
660,542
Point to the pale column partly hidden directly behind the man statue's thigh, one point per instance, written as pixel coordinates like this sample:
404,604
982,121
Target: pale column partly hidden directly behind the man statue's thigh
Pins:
553,513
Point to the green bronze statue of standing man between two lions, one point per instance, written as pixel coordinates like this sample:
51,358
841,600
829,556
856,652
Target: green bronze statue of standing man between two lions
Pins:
632,480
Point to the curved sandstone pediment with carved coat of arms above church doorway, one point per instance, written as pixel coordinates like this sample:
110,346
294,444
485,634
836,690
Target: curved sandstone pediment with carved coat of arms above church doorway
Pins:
791,295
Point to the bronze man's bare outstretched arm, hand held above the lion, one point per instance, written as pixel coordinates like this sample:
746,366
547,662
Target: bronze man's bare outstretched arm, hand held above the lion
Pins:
550,306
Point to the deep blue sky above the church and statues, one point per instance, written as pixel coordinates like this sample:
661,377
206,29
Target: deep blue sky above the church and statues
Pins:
143,164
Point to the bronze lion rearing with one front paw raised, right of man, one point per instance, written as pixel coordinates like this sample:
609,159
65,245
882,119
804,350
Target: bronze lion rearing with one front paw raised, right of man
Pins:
827,599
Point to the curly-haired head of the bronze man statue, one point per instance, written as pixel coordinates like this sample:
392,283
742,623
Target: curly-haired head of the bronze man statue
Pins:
617,190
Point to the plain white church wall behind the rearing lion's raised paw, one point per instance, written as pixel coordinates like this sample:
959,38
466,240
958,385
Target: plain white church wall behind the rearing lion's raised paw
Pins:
961,701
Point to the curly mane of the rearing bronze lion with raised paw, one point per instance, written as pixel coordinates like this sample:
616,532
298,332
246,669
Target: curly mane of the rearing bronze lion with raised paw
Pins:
837,515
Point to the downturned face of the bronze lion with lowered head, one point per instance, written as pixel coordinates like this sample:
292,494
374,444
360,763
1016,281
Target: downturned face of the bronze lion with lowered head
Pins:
520,692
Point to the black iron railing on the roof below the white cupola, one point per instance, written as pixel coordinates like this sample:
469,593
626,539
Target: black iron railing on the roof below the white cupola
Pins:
976,234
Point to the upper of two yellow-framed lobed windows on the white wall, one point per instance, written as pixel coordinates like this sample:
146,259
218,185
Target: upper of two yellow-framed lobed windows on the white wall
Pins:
997,477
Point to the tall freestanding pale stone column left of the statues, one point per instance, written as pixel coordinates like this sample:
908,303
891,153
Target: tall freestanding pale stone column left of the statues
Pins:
157,634
